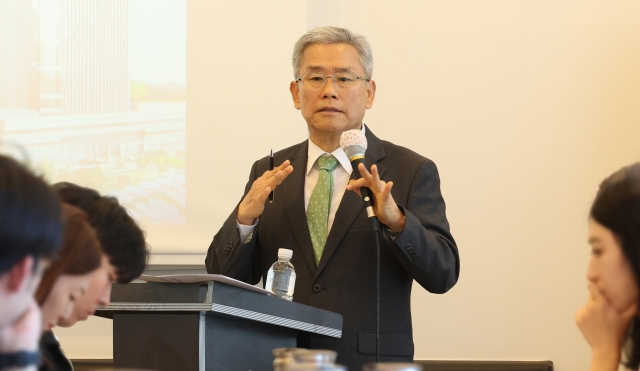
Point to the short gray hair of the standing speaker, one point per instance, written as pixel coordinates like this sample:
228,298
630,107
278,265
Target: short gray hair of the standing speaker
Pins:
333,35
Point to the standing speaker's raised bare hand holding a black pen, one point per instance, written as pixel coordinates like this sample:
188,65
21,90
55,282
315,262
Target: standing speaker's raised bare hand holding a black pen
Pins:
252,205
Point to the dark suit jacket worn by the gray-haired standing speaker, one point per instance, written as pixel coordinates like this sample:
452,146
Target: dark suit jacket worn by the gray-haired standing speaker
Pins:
344,281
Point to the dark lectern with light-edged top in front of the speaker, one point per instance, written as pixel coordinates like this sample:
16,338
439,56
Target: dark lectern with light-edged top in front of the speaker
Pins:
206,326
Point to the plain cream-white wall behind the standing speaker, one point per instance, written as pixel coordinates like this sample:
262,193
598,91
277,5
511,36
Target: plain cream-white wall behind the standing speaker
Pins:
524,106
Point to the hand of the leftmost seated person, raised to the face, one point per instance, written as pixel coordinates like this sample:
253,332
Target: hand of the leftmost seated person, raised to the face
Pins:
24,334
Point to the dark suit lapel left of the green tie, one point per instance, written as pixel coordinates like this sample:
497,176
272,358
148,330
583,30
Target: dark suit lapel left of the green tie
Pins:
293,188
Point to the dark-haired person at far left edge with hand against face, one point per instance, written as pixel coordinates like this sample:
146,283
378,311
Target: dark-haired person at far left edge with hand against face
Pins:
30,234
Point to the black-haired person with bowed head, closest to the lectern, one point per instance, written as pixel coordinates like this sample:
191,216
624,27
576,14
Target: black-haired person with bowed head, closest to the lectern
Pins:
125,252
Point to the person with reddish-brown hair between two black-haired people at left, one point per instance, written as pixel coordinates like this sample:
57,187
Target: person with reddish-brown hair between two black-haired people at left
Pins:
66,281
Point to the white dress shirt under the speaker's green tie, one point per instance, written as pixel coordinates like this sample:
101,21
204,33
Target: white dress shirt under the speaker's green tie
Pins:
341,175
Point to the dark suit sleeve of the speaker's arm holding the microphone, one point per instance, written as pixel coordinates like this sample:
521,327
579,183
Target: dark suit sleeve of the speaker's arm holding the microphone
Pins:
426,247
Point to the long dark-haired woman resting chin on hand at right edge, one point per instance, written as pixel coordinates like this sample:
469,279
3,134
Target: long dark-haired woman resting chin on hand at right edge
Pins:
609,321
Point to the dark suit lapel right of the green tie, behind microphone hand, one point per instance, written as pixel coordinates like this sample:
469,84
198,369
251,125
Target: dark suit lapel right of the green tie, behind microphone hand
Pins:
351,204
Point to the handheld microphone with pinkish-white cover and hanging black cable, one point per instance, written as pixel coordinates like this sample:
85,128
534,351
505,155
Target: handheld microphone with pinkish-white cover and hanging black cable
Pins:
354,144
